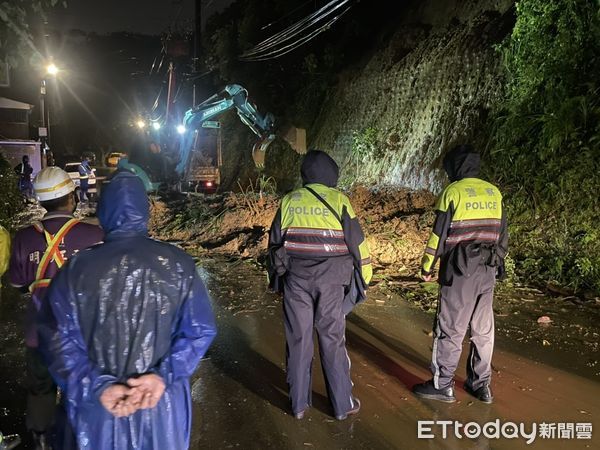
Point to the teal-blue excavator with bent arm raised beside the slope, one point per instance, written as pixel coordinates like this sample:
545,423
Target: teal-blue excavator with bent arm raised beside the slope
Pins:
194,168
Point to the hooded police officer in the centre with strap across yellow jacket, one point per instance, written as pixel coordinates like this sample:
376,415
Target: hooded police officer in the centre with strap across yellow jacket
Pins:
315,244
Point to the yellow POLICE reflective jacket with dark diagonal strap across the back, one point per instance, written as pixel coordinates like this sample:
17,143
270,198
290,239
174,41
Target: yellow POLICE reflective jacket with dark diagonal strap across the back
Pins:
305,228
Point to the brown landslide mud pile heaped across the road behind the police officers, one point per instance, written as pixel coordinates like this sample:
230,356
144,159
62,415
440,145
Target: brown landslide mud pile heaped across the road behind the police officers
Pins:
396,222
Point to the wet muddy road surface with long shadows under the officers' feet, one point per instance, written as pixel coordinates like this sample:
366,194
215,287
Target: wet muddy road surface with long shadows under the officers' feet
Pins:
240,395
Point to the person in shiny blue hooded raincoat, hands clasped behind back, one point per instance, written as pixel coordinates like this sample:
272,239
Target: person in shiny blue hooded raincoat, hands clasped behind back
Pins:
125,326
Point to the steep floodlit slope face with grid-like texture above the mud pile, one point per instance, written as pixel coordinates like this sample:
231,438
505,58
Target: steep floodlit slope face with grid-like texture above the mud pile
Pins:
428,89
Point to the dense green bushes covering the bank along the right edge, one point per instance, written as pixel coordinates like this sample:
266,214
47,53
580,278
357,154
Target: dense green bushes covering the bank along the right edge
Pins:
545,150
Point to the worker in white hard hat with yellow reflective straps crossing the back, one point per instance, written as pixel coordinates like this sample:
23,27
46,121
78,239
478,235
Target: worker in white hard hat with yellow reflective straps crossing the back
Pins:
38,252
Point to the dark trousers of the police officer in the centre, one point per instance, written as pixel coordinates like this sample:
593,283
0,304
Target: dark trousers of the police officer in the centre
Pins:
310,304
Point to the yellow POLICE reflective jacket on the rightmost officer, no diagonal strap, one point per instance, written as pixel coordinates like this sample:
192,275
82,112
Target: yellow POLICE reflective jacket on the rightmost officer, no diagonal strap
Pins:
468,212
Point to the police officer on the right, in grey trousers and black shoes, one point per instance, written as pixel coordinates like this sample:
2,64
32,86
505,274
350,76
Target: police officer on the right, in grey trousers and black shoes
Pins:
470,239
